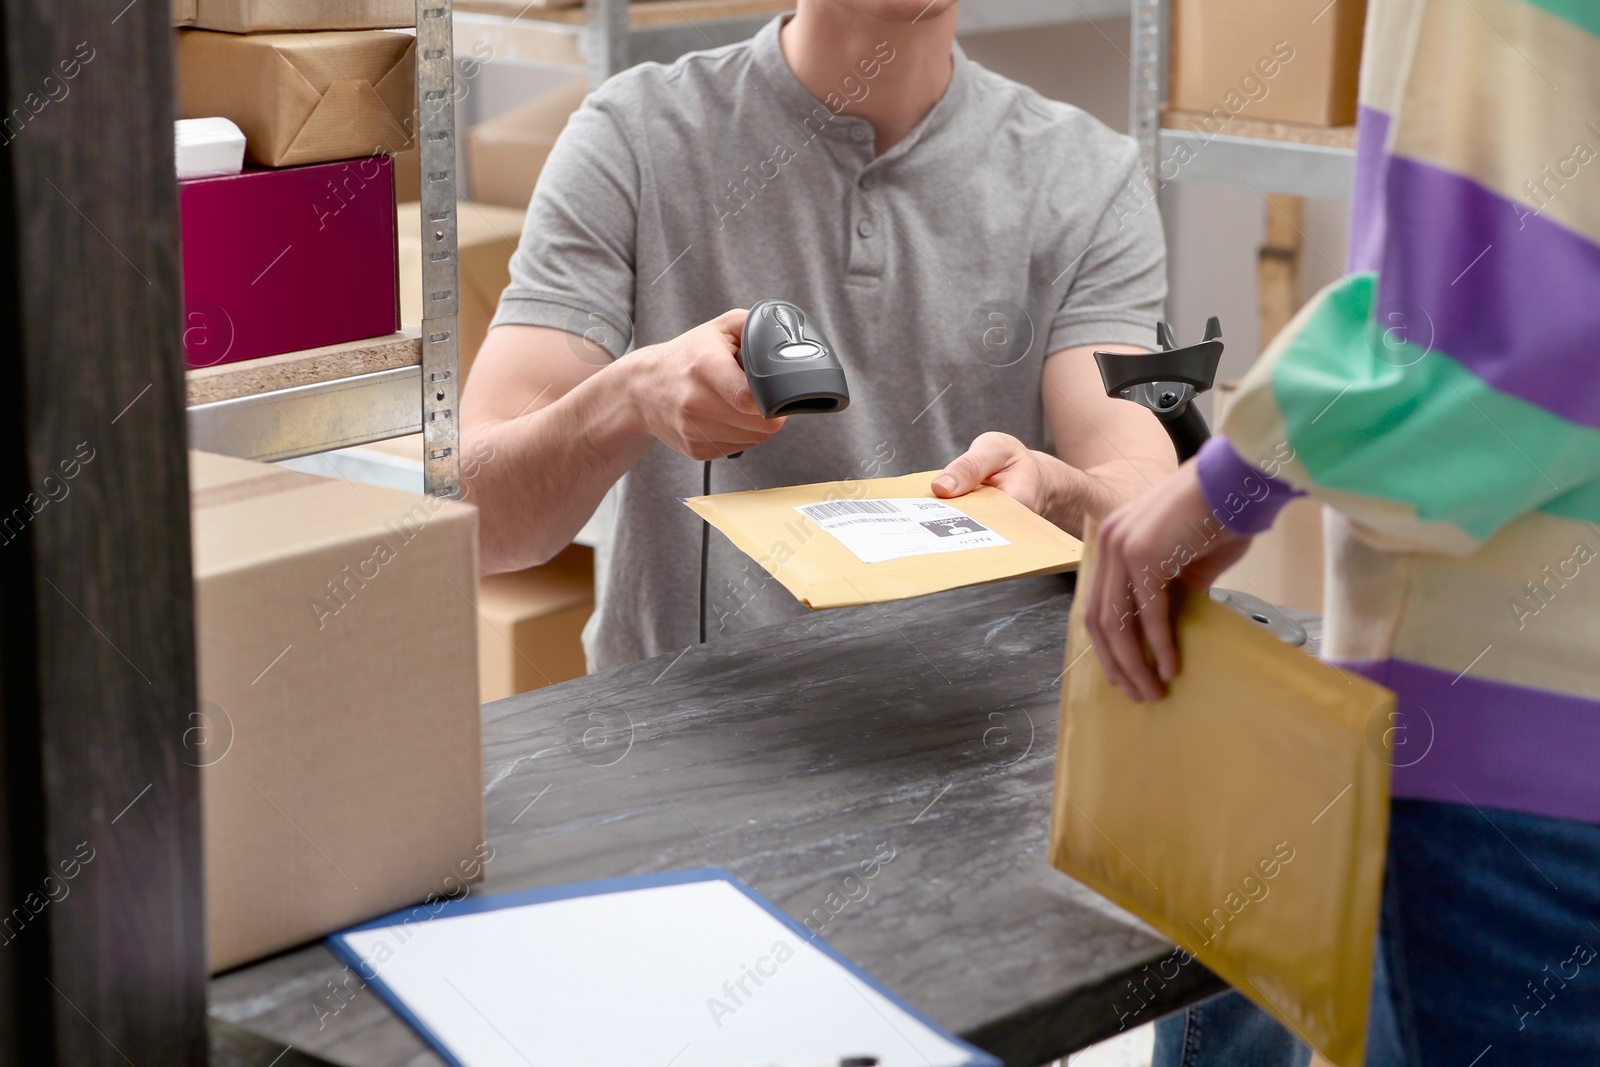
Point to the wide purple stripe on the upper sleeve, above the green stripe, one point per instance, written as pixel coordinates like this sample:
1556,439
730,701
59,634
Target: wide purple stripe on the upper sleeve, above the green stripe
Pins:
1510,295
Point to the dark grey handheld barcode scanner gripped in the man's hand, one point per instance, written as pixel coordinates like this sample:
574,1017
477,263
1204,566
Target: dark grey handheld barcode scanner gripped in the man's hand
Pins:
790,364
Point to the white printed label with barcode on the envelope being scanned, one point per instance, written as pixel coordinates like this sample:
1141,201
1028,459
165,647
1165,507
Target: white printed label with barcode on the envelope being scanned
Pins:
900,527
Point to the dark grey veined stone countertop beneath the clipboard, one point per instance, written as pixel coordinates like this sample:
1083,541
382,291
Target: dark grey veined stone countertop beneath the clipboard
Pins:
790,757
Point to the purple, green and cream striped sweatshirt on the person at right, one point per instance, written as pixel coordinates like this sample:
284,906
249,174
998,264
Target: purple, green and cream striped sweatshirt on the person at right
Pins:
1444,402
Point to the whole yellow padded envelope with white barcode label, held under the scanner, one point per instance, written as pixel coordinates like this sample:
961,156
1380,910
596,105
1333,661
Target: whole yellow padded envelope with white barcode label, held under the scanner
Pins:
836,545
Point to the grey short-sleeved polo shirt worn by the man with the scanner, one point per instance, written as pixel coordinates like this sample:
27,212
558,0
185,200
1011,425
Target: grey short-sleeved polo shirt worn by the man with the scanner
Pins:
945,273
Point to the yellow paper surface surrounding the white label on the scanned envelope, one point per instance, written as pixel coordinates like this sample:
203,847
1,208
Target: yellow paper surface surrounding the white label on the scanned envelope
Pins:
823,573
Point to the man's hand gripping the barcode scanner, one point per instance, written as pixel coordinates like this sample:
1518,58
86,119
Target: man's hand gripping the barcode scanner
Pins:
690,393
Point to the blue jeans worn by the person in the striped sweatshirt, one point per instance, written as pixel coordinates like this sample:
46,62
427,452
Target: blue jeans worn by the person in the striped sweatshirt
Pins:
1489,954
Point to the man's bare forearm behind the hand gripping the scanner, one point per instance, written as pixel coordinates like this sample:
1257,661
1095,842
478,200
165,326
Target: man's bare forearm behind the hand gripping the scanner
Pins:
538,478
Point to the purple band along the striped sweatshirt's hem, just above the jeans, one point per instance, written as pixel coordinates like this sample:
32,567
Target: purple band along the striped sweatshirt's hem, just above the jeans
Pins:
1466,740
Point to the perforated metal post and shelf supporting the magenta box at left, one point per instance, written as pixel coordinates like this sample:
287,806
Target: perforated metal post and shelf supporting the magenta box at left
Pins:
367,391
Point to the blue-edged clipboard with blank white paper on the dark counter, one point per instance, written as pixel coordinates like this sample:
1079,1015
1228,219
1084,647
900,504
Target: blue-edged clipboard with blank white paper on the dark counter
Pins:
441,980
